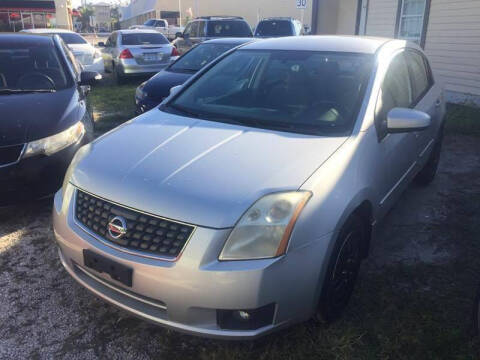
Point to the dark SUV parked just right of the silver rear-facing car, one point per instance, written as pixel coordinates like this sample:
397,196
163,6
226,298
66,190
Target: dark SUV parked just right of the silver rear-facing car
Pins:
211,27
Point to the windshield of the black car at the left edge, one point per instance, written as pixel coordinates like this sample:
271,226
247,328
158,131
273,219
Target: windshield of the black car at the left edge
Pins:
32,66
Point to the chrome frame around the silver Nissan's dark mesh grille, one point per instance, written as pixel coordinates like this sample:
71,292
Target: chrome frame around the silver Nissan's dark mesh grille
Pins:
121,248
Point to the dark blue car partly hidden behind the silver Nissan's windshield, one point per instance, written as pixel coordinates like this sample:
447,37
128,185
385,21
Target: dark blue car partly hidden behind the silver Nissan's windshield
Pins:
152,92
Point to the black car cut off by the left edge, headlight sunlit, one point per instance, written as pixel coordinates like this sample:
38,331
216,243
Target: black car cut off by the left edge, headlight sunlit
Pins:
44,114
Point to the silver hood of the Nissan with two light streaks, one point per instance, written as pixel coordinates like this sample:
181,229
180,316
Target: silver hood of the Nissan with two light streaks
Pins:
197,171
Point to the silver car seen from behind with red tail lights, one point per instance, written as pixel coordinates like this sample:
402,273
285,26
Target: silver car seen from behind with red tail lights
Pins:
136,52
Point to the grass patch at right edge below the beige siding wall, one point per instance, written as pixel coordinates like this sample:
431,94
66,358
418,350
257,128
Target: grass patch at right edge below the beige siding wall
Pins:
462,119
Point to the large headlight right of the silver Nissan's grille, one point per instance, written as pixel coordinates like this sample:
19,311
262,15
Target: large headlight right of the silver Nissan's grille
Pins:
264,230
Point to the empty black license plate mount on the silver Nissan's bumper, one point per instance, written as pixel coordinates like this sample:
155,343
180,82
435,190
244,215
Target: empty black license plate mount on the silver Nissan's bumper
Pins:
101,264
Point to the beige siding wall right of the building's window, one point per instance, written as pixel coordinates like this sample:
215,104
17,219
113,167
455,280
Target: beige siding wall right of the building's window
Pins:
453,45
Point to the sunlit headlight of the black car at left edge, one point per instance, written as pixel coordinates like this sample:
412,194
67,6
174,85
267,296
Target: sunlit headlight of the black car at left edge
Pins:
52,144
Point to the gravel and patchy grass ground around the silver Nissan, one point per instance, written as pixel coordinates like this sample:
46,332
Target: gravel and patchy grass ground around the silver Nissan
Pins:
415,290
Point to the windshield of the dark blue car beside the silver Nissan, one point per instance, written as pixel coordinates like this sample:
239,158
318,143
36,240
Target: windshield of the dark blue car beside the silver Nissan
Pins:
200,56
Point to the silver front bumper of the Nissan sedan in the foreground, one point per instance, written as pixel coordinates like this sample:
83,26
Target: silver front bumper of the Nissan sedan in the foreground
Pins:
185,295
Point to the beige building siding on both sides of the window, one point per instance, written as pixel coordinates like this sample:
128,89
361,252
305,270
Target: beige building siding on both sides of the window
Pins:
452,42
